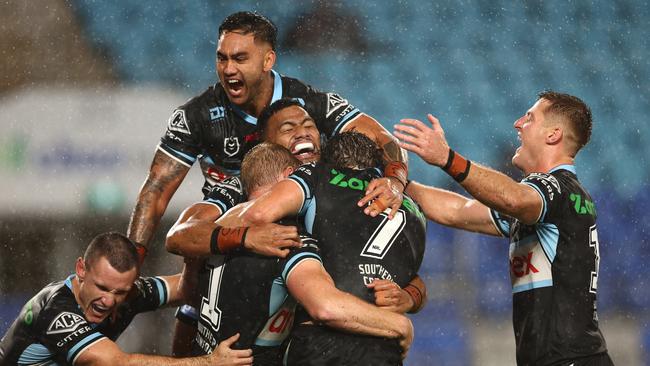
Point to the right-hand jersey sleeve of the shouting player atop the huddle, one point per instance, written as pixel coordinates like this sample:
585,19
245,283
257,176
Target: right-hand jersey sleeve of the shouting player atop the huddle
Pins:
331,111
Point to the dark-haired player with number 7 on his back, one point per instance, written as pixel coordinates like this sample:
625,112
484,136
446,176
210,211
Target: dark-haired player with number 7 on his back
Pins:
356,249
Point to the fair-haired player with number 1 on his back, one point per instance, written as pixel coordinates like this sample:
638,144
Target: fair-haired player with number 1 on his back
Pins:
248,292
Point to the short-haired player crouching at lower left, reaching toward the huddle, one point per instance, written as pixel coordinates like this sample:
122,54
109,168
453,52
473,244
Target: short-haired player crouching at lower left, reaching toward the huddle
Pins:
78,320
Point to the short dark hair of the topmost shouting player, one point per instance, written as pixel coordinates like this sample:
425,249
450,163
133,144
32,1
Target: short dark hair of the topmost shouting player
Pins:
247,22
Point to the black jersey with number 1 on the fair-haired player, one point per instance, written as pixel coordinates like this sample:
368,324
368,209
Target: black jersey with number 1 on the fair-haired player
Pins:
246,293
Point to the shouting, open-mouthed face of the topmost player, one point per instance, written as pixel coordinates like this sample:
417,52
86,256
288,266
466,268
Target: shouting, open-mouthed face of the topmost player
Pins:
242,65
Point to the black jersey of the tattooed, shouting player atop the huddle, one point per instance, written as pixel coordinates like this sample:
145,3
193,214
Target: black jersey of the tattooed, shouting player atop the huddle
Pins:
208,127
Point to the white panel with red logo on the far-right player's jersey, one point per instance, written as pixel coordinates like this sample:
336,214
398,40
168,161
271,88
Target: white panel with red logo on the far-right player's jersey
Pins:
529,266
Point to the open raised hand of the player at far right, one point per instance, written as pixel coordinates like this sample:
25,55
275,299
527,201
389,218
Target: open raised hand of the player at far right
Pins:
428,142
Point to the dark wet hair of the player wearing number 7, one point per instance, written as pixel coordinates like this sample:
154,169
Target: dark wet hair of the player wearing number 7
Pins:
352,150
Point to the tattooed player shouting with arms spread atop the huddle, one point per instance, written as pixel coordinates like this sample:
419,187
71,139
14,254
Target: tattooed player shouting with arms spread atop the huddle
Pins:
219,126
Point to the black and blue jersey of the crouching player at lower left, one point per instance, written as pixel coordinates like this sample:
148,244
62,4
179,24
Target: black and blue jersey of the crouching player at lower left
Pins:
52,329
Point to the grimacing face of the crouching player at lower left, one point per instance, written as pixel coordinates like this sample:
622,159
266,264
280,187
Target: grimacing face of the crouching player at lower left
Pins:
102,288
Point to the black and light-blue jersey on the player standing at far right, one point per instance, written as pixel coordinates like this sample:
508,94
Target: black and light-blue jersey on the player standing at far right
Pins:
554,272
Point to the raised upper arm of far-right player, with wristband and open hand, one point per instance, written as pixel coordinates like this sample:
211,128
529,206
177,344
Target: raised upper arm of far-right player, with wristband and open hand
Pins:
492,188
